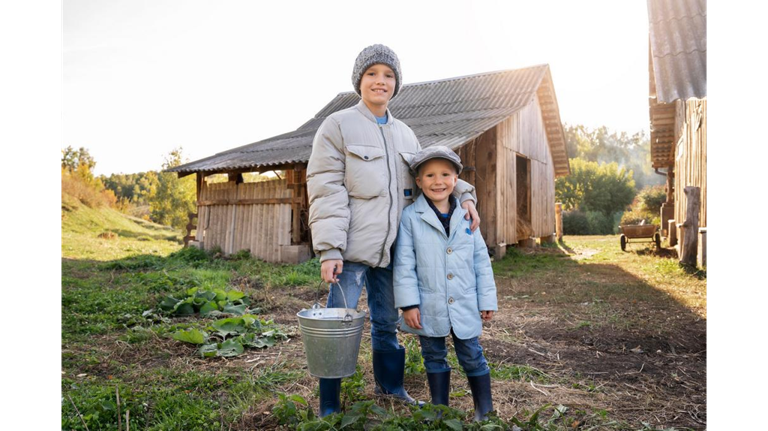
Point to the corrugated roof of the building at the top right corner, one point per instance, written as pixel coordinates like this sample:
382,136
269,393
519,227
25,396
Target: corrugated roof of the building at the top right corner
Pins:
678,40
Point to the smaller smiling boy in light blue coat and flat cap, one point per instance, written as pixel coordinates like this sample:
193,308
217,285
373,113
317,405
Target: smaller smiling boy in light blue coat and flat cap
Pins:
443,279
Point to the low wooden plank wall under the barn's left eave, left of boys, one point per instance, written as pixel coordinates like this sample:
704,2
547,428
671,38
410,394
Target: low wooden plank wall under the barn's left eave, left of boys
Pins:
261,228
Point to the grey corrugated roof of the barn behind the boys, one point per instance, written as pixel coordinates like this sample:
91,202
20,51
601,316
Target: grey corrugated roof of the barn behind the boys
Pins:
447,112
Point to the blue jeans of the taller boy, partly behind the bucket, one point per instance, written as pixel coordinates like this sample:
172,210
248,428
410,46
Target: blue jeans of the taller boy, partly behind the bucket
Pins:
381,300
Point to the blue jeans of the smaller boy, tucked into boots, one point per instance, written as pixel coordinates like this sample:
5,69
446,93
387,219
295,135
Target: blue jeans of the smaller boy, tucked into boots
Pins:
469,352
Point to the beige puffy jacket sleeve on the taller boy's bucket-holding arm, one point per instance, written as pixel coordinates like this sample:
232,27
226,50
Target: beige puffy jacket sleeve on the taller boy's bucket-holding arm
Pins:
328,199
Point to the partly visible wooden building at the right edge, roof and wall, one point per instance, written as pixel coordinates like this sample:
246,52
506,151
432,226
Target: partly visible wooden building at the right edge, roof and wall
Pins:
678,115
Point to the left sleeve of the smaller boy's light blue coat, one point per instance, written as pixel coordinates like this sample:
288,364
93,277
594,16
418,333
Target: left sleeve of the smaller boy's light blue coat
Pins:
406,283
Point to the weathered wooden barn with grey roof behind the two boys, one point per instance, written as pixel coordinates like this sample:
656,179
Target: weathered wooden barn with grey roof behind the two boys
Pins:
505,125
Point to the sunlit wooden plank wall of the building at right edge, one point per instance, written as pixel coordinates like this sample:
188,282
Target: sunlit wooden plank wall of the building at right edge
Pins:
691,156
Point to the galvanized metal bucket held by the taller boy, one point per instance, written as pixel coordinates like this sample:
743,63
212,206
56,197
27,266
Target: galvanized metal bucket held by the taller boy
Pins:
331,339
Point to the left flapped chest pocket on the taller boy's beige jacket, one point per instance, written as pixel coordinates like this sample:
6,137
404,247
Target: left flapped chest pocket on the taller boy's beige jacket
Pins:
366,171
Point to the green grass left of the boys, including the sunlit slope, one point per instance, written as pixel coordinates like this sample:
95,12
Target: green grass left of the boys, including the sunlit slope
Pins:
106,285
